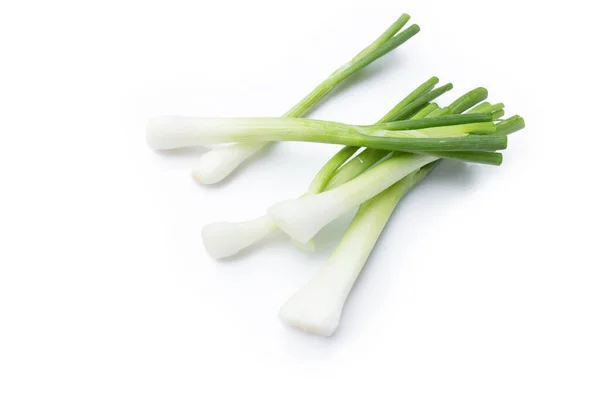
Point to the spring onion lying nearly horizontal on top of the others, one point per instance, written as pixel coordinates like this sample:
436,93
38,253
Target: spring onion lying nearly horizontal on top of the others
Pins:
171,132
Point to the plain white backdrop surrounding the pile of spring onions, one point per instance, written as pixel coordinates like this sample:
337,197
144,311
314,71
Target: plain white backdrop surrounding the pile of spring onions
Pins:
483,286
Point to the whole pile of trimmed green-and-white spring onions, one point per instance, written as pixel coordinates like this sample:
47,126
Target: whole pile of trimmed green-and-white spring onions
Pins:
379,164
